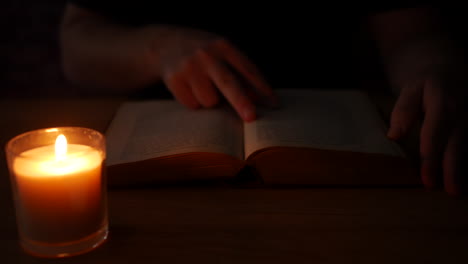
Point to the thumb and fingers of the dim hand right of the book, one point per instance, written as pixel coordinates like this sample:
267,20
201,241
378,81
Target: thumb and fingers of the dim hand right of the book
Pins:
443,146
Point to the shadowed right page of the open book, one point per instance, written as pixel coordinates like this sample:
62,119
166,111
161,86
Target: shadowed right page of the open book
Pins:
325,119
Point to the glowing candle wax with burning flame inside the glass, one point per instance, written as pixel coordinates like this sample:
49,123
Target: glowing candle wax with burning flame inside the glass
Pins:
60,195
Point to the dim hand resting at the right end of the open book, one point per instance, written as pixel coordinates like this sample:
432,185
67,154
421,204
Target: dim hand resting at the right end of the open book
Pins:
434,87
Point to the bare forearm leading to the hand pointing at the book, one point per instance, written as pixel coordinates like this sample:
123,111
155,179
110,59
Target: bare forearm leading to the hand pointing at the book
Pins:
103,56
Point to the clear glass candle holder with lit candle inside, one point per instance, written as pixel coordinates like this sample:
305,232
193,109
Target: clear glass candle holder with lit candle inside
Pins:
59,187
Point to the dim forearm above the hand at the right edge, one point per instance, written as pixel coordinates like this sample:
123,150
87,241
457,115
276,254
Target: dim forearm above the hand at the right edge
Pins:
412,42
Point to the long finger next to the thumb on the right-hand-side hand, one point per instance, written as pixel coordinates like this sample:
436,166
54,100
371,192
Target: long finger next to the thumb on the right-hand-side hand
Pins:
434,134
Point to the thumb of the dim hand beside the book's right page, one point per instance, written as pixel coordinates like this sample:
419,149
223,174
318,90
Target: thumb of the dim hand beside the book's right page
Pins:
406,110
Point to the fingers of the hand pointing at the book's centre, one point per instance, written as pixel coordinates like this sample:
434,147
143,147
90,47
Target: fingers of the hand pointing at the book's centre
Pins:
220,69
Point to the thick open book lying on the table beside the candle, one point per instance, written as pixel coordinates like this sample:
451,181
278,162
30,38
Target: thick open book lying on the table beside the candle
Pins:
316,137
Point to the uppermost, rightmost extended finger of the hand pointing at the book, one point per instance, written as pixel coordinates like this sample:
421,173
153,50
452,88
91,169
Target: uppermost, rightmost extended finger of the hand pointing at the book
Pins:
248,70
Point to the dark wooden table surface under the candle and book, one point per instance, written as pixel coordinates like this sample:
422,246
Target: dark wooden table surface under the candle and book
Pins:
207,224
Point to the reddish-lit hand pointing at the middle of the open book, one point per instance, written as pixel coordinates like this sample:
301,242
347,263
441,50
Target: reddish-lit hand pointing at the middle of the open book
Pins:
199,68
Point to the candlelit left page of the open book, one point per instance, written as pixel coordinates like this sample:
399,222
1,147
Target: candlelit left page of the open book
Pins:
151,129
